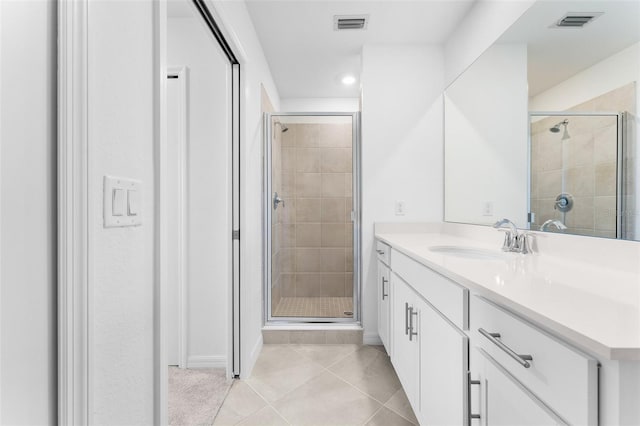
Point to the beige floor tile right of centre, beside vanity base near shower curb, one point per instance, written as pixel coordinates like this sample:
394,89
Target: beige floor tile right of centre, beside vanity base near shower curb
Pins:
370,371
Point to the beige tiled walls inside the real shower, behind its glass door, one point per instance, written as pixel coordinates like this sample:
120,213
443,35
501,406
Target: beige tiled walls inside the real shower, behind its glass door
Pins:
315,233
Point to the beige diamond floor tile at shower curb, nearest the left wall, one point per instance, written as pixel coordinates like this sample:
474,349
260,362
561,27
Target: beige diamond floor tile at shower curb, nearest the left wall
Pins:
280,369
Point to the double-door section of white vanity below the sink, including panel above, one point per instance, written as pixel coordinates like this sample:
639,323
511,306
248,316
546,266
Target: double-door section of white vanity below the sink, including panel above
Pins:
429,352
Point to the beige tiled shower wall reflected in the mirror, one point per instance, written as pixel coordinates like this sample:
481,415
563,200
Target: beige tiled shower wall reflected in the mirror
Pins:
585,165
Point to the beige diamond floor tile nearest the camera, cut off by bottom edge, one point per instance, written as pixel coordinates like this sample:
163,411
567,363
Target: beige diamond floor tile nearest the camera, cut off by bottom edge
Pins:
326,400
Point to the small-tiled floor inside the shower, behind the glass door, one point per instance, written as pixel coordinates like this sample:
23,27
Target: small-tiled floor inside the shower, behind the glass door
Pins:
315,307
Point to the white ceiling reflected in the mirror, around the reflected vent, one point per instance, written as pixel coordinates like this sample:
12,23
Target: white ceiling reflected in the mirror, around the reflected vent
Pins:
555,54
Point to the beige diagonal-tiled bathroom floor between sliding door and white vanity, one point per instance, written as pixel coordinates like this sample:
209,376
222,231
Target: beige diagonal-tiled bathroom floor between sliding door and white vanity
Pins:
319,385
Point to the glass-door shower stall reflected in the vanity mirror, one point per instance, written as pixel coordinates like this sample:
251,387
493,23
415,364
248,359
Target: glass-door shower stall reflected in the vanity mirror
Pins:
578,173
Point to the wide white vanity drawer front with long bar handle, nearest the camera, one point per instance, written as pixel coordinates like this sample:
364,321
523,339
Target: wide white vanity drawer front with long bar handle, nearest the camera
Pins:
559,375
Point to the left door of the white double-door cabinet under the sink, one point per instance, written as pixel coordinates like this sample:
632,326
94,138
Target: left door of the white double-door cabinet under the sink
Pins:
405,353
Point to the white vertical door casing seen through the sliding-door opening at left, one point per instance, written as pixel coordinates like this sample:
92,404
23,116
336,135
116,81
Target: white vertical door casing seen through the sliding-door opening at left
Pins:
183,80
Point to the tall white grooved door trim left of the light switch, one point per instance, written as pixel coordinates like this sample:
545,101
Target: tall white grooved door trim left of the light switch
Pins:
74,397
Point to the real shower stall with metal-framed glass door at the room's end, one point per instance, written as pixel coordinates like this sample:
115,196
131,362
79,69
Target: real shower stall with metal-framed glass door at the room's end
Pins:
311,217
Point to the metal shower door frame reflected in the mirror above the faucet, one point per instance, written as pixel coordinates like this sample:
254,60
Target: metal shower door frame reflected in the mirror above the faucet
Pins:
621,147
